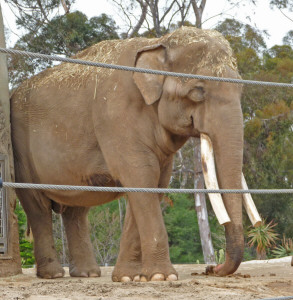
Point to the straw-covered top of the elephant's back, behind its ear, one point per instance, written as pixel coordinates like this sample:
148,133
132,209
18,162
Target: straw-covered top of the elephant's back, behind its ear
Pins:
76,76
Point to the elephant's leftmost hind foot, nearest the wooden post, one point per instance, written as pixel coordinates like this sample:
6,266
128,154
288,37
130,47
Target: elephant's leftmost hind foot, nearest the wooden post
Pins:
49,269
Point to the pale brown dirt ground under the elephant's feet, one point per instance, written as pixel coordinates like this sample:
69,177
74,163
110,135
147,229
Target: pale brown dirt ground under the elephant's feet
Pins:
253,280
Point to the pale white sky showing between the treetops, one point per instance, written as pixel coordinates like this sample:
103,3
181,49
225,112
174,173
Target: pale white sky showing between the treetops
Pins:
260,16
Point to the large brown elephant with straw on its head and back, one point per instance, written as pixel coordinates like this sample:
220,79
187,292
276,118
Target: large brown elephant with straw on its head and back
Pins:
80,125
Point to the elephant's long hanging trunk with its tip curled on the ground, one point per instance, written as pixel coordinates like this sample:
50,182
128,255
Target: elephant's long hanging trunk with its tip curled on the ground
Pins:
228,148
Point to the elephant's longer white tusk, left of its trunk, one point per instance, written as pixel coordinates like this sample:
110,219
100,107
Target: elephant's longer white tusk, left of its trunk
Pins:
210,177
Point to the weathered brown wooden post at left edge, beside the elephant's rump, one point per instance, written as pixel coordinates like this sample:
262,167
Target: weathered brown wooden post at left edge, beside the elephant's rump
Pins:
10,262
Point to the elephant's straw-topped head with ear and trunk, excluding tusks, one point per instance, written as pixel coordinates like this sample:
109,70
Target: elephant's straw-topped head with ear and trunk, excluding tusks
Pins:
190,107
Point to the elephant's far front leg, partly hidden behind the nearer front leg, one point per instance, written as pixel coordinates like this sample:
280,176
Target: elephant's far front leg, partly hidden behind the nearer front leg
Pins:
128,265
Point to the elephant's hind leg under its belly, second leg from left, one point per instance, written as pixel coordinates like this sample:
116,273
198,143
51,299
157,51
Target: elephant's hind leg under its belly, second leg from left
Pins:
82,262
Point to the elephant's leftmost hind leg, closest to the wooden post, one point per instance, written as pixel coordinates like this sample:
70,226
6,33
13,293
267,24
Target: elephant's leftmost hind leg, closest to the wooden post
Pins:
39,214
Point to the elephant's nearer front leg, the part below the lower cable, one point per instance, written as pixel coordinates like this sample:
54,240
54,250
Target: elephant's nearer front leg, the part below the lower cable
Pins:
156,264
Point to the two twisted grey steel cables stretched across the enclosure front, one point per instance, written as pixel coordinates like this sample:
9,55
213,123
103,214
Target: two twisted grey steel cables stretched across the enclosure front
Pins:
154,72
